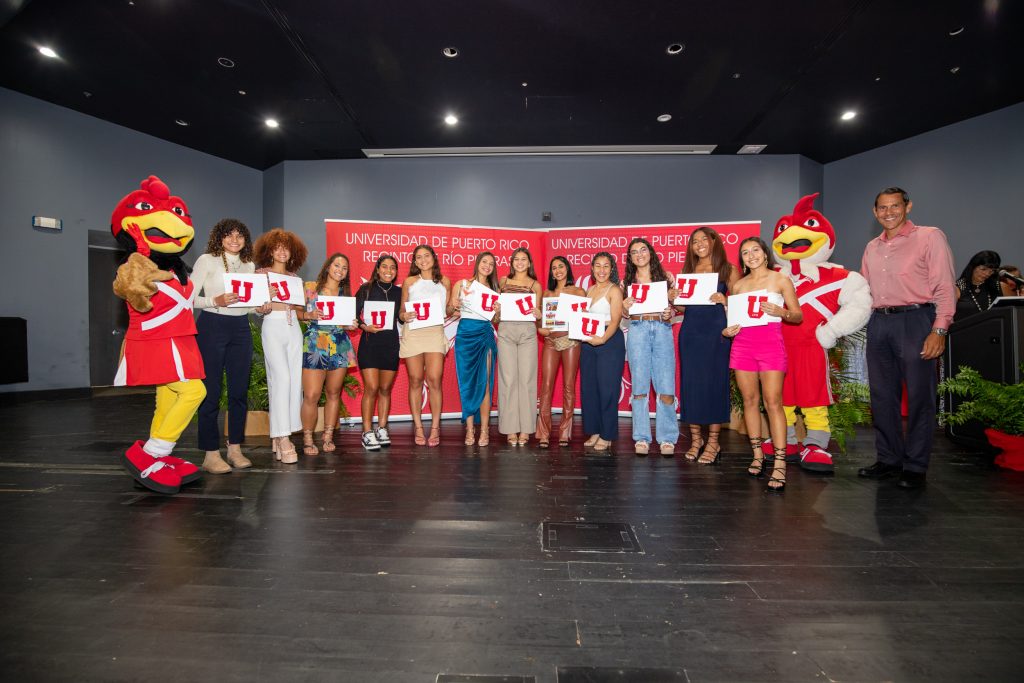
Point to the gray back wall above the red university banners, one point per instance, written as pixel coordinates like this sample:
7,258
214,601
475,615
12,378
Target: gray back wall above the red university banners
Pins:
515,192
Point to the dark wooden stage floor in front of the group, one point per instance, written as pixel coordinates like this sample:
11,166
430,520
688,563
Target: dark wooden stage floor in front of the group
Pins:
415,563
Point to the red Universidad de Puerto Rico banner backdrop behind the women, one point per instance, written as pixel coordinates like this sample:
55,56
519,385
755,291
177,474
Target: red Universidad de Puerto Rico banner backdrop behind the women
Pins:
457,246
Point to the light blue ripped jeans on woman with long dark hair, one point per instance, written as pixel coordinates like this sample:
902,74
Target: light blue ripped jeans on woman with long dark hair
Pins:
652,353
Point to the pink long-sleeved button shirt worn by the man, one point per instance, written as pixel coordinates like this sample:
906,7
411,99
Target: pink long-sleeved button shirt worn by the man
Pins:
916,267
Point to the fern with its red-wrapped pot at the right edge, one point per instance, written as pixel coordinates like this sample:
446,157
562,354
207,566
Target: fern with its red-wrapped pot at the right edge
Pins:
1000,407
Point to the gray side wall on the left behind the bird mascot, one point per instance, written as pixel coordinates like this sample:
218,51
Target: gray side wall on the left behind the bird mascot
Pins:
59,163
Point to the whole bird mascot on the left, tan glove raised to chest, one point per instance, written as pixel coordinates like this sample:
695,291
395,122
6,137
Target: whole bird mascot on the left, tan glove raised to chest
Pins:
160,348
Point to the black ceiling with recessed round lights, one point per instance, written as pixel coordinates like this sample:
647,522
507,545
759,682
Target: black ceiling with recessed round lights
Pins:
348,75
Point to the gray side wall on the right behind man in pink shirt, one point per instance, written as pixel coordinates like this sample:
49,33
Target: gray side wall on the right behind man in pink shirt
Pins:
967,179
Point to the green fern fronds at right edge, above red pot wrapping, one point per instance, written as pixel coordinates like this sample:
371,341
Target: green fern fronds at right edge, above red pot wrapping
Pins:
993,404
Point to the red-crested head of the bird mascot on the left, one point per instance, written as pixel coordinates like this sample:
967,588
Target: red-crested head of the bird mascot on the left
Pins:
156,225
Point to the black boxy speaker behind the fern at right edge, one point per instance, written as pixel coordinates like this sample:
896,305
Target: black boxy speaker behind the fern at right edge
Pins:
992,344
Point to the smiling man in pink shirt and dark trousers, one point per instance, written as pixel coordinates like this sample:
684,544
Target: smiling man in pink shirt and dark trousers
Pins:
910,270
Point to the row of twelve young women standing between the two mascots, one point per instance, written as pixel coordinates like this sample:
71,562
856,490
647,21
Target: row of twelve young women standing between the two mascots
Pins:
302,369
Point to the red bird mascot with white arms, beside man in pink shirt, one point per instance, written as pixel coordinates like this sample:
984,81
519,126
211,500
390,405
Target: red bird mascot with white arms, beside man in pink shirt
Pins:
835,303
